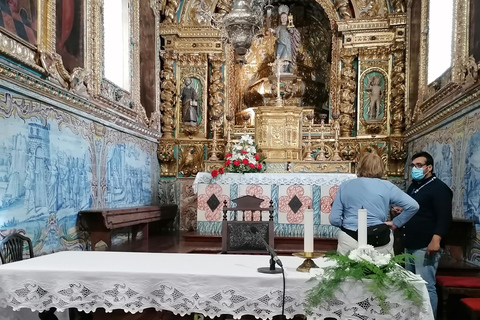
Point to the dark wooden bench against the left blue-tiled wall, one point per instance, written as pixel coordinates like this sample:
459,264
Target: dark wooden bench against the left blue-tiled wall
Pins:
101,222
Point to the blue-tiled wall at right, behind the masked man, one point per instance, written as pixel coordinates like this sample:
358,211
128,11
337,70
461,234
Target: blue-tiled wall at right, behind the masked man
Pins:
455,148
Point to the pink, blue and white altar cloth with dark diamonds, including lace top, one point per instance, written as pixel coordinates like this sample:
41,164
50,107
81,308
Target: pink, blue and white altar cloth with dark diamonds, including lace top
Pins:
292,194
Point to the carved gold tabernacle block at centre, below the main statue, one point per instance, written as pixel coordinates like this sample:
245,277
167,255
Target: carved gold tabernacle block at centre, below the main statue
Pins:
277,132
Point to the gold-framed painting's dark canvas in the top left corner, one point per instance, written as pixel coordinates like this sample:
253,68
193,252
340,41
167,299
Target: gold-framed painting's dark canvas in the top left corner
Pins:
20,19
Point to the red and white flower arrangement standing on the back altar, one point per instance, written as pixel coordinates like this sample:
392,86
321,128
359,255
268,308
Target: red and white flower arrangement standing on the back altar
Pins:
243,158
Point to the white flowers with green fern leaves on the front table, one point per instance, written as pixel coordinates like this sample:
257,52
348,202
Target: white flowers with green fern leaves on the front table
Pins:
383,271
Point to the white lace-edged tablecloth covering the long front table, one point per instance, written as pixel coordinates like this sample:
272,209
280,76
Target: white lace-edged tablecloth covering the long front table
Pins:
210,284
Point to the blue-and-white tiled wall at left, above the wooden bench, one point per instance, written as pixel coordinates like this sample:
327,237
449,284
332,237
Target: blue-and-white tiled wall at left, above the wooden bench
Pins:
54,164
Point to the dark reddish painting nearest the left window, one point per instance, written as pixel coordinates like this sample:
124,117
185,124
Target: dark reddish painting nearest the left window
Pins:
70,26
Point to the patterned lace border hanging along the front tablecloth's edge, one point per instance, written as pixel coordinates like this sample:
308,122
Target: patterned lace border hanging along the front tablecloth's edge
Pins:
136,296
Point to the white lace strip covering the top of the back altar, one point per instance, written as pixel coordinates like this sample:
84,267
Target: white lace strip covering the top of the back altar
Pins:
320,179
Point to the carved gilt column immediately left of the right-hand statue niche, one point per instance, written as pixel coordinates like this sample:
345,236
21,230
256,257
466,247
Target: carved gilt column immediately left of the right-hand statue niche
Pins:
347,92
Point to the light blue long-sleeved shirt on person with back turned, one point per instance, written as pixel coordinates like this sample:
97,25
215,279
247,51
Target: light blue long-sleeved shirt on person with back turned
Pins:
376,196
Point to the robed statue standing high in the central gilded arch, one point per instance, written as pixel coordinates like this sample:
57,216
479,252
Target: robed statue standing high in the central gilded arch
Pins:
288,40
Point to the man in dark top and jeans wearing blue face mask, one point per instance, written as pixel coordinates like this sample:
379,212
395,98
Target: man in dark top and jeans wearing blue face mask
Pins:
424,231
